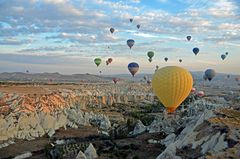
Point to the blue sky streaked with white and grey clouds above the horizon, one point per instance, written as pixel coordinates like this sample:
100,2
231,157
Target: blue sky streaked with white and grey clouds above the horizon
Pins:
66,35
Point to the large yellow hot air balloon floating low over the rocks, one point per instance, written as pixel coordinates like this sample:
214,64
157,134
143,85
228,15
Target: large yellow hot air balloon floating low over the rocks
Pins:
172,85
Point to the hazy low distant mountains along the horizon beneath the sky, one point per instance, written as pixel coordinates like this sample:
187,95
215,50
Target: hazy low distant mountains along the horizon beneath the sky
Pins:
57,77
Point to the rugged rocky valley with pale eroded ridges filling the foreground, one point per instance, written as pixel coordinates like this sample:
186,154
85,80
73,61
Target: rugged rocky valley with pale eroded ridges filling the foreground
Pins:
121,121
